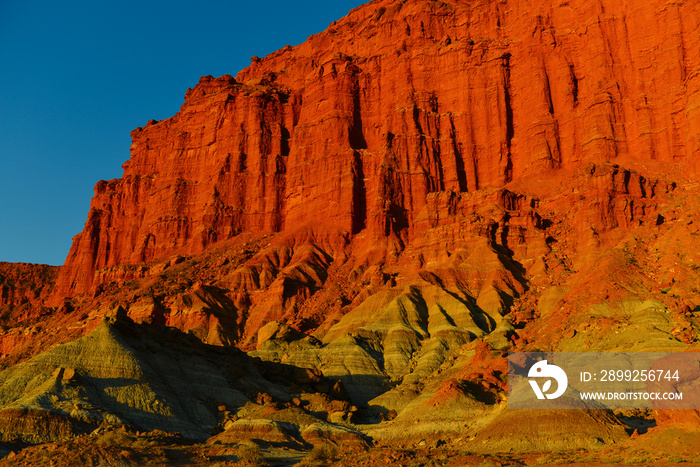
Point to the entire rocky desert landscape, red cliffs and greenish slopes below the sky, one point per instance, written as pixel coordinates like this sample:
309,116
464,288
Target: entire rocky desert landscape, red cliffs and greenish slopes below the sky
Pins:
326,258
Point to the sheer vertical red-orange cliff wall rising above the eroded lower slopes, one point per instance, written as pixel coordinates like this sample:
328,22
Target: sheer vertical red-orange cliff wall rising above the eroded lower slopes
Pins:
355,129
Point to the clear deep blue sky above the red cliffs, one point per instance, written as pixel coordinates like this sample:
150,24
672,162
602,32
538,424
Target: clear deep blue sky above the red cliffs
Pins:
77,76
